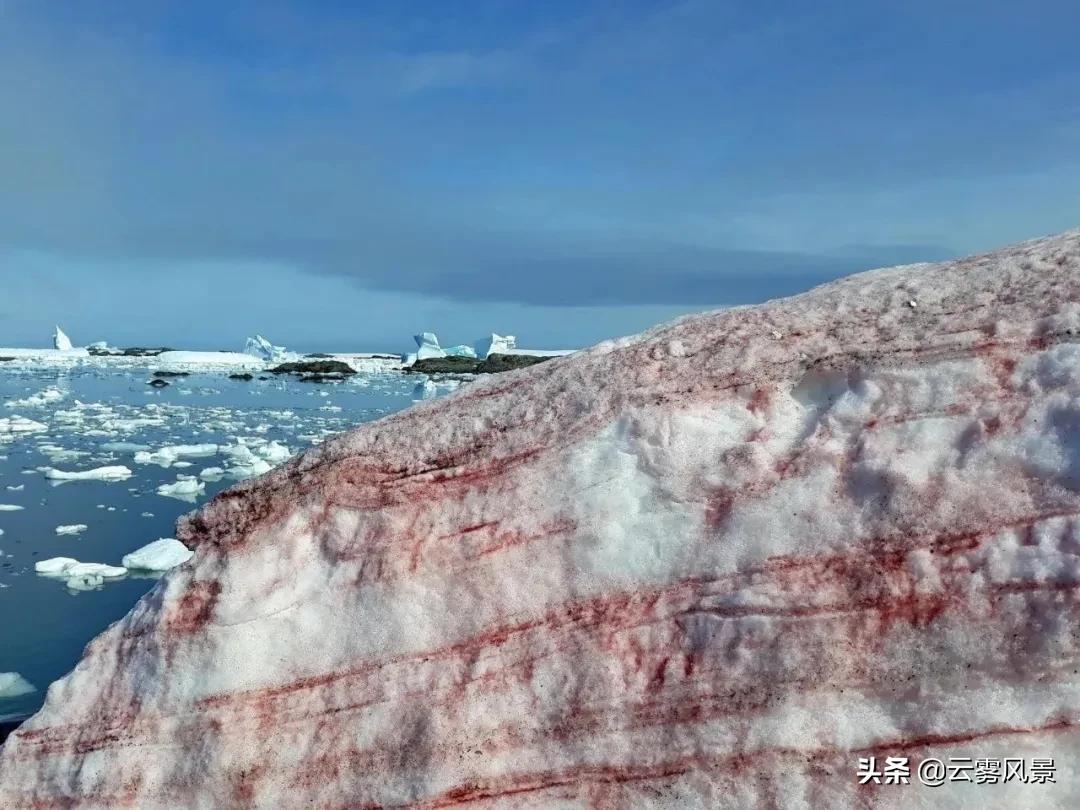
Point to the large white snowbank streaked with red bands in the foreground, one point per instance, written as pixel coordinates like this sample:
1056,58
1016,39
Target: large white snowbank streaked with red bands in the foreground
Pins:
714,565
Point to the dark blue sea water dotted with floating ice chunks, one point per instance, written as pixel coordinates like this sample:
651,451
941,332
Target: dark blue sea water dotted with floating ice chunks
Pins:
44,624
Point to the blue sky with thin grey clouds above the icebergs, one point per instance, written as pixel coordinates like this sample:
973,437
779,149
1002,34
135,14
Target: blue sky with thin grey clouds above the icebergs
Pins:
344,174
